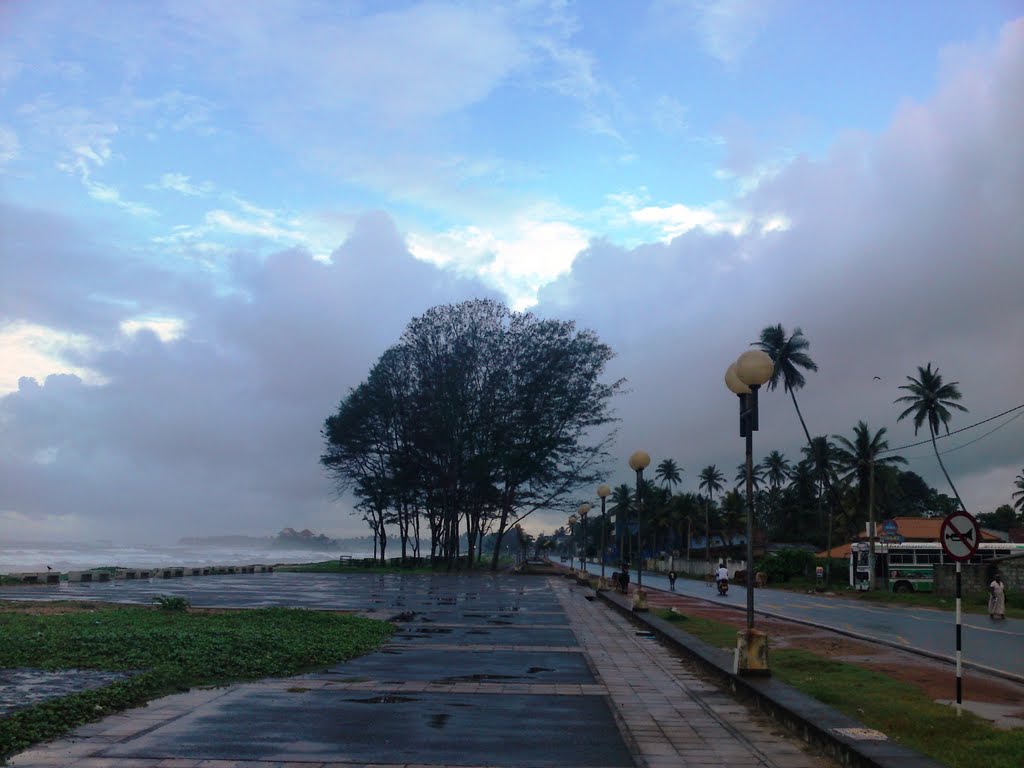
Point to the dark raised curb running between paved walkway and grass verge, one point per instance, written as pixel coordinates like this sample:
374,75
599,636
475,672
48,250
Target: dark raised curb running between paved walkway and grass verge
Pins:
814,722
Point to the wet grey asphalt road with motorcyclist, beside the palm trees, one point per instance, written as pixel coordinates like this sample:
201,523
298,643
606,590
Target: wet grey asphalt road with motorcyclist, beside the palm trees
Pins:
997,647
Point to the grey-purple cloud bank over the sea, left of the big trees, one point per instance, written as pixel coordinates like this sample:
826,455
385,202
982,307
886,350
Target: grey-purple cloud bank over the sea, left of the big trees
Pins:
218,431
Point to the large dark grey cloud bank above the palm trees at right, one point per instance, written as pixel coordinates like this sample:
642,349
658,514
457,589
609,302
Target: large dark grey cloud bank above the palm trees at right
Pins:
904,249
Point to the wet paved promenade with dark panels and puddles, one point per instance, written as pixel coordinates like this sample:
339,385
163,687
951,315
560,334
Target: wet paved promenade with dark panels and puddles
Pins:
485,671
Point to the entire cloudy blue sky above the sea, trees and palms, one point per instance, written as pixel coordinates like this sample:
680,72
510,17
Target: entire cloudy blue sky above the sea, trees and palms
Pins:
215,218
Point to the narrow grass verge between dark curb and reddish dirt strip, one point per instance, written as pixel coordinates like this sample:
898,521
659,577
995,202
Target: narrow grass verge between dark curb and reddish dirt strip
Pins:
904,712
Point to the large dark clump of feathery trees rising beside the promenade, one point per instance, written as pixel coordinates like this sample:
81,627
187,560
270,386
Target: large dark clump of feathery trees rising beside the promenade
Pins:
478,417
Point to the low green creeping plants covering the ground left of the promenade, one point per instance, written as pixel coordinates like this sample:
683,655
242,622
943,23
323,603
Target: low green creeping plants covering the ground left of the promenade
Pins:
170,651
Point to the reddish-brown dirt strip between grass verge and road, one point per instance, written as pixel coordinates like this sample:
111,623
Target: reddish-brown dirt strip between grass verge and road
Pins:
935,678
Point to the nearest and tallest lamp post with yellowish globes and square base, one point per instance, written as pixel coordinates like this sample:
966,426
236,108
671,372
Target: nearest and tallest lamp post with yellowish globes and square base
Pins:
744,377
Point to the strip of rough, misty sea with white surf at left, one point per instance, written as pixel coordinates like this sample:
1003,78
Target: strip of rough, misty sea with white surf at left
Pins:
63,558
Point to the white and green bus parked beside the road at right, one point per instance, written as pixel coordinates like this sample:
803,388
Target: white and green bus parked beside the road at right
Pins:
910,566
